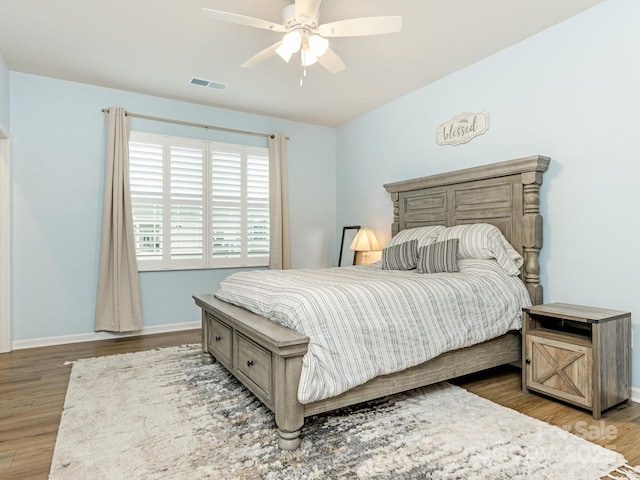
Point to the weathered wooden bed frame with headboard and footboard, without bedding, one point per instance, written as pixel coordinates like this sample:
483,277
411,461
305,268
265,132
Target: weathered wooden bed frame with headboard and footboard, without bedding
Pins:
267,357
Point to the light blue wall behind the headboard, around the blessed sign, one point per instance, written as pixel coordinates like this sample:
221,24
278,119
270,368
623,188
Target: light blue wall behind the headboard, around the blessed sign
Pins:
572,93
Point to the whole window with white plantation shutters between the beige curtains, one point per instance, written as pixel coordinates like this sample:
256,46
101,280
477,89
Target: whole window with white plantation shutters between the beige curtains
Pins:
198,204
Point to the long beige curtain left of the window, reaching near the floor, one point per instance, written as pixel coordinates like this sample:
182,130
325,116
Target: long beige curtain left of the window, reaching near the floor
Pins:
118,300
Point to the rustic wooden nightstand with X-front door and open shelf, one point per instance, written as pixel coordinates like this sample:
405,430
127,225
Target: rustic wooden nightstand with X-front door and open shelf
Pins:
577,354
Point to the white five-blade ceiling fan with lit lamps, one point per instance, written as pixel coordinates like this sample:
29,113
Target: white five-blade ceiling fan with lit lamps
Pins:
304,34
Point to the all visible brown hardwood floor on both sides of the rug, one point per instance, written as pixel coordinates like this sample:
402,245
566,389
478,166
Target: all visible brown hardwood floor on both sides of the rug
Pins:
33,384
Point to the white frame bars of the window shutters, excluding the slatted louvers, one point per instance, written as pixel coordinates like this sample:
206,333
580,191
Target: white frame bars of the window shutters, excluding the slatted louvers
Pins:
207,261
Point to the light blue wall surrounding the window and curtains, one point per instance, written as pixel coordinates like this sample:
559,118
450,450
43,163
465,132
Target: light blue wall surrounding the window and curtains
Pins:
58,165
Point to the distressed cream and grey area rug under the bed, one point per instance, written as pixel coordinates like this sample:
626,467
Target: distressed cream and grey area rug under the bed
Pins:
162,414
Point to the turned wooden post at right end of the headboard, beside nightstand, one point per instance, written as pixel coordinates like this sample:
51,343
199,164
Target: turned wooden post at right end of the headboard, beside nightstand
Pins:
532,232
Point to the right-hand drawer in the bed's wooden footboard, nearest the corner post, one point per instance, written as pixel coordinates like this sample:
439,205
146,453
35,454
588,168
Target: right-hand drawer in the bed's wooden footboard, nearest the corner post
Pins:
254,363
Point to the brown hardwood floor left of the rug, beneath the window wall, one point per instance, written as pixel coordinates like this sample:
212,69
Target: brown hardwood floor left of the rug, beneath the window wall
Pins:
33,385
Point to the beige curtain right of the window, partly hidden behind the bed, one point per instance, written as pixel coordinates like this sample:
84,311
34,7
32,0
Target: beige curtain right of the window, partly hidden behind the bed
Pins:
278,208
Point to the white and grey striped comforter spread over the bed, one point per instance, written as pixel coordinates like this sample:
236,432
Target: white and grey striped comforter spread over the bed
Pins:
364,322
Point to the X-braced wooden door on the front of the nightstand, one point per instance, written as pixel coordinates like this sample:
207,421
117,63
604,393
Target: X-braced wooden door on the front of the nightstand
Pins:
559,368
